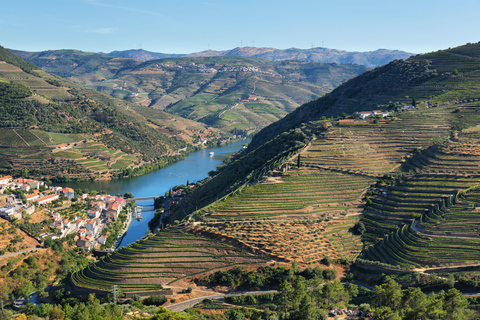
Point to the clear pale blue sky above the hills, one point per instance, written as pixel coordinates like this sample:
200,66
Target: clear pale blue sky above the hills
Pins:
186,26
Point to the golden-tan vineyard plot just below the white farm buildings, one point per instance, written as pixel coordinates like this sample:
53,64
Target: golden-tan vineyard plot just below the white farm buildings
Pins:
375,149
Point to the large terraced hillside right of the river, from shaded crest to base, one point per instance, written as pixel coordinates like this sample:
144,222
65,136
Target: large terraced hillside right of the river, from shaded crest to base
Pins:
421,159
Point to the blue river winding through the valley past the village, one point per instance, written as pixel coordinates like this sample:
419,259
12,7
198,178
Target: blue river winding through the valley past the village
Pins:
193,168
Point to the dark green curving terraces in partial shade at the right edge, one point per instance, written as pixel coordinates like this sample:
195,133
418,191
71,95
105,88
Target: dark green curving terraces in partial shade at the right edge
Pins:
428,219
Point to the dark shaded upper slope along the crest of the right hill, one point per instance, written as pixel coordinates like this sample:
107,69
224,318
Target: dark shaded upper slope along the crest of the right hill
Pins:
432,78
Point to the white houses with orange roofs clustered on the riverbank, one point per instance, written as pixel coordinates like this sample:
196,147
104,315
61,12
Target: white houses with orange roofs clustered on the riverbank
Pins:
103,209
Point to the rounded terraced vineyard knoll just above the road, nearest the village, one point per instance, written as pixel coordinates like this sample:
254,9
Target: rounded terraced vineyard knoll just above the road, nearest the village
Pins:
160,260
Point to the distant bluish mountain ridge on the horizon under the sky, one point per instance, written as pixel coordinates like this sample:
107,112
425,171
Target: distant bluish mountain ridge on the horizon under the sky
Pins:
370,59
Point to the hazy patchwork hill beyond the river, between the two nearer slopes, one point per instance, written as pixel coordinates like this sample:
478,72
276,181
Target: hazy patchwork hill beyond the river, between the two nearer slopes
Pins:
212,90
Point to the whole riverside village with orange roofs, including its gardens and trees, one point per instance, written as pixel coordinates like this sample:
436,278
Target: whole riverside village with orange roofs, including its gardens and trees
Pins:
85,217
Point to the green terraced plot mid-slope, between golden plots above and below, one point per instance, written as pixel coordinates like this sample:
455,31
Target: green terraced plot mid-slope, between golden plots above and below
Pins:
300,192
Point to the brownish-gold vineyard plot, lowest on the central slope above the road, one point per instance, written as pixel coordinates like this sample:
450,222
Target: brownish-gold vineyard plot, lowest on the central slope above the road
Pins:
306,241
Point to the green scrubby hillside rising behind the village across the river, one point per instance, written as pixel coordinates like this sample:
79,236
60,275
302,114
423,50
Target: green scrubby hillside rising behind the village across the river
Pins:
52,126
